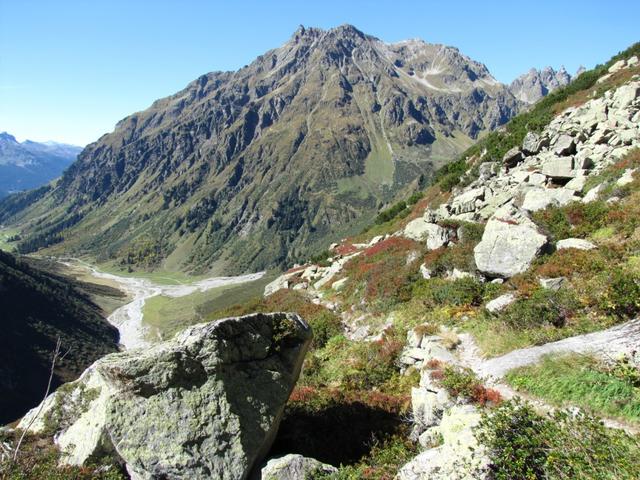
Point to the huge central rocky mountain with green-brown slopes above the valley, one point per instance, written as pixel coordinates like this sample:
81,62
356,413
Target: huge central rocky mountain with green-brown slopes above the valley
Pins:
254,168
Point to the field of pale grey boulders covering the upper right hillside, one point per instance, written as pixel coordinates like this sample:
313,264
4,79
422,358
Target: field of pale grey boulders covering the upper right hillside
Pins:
551,168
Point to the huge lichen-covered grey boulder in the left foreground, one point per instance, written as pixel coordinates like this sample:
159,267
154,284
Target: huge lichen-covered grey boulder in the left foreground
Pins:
206,404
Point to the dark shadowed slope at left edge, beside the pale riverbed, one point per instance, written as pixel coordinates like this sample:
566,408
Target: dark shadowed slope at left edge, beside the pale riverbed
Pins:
37,309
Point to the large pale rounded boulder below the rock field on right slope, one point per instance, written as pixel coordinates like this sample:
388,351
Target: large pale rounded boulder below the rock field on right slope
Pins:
509,244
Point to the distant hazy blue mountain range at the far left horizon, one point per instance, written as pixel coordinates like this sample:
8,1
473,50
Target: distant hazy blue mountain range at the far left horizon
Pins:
30,164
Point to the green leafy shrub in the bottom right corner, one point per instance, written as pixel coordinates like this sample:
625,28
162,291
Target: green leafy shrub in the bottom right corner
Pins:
525,445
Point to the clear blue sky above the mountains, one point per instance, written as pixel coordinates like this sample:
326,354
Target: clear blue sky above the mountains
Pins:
69,70
